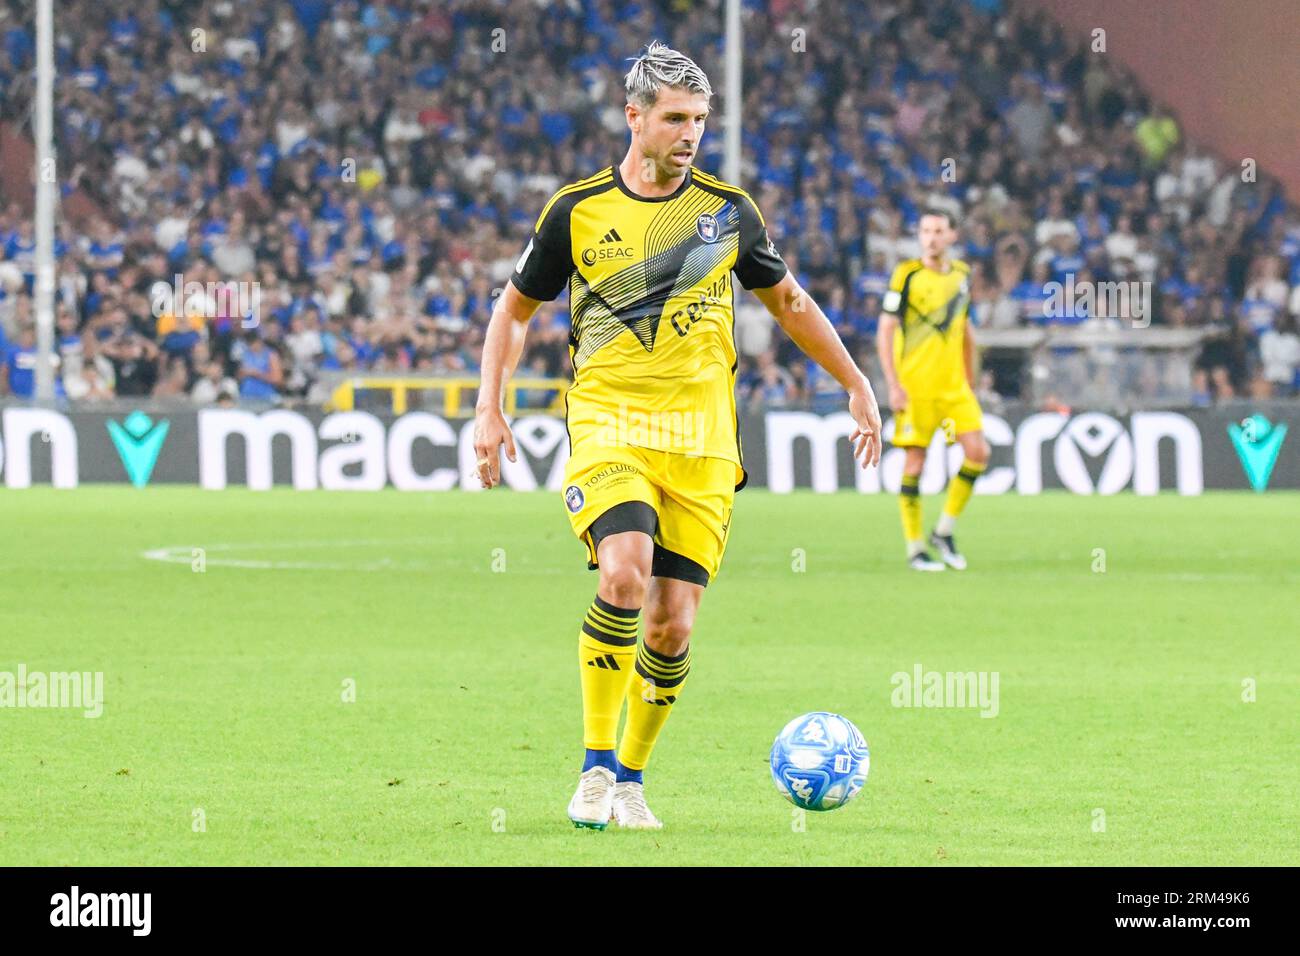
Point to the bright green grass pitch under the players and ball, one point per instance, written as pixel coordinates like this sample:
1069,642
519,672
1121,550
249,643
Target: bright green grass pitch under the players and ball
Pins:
226,738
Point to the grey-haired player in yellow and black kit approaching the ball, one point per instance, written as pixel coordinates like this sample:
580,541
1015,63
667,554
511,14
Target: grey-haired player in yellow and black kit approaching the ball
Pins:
648,250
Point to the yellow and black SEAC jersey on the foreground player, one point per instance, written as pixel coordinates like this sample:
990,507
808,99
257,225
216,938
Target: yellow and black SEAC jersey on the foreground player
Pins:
652,312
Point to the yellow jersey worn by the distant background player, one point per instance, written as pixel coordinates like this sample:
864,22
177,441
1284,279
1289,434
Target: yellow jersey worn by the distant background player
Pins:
933,310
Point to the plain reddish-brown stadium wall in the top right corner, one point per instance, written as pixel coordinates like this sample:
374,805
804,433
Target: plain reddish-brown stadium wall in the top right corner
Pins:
1229,68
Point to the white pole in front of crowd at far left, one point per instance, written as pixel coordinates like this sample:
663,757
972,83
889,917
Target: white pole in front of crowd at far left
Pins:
47,184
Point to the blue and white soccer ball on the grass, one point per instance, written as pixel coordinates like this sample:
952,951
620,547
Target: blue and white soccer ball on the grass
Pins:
820,762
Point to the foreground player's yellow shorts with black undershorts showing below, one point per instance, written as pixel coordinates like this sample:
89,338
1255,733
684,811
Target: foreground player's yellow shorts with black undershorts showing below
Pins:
690,504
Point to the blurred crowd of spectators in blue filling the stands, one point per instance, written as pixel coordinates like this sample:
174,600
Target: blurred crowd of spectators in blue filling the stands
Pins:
369,172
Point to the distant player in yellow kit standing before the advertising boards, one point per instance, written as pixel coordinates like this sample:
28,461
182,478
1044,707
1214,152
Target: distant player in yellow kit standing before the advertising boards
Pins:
928,354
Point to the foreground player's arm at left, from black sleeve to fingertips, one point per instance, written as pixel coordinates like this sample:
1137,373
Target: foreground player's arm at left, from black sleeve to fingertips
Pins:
541,272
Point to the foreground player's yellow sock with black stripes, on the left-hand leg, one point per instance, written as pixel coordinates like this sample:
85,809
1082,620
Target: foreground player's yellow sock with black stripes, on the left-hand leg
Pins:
606,650
